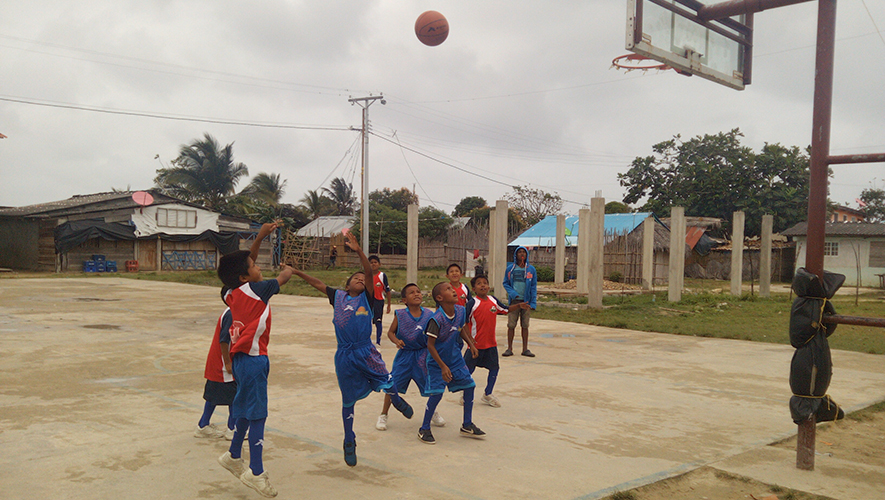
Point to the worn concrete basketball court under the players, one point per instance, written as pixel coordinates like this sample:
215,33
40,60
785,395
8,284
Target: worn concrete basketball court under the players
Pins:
101,388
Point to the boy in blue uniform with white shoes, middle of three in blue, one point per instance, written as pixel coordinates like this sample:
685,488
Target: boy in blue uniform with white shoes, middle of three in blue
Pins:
410,363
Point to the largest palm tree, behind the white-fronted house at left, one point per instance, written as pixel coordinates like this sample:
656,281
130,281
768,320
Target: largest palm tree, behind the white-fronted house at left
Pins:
203,173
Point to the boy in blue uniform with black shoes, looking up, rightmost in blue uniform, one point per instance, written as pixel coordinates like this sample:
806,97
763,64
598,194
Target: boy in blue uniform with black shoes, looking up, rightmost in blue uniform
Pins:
446,367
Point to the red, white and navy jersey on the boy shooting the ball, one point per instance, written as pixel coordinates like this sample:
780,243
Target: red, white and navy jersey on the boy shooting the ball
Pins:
250,314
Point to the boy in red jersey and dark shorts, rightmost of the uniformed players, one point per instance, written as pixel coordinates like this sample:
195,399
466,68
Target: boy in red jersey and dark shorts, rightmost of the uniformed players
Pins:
482,312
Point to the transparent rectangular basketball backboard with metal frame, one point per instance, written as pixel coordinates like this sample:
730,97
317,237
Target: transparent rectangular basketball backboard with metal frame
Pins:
670,31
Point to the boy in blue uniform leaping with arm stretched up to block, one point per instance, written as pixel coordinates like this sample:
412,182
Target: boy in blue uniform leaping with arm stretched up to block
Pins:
358,363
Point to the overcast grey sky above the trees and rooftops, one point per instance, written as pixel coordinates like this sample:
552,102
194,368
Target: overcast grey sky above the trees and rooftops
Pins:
521,93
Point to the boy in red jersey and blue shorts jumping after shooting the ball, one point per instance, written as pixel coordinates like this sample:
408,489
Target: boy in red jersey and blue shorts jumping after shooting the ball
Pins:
248,294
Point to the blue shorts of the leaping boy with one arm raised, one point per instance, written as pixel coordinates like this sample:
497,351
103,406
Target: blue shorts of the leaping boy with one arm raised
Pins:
360,371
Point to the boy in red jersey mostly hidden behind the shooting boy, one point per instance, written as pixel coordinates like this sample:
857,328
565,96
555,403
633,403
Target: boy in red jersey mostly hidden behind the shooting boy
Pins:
220,386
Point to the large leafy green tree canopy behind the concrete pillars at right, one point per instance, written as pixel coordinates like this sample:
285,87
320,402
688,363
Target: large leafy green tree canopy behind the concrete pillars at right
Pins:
715,176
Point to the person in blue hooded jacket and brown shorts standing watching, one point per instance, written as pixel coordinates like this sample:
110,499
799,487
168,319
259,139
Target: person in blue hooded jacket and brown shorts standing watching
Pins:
521,283
